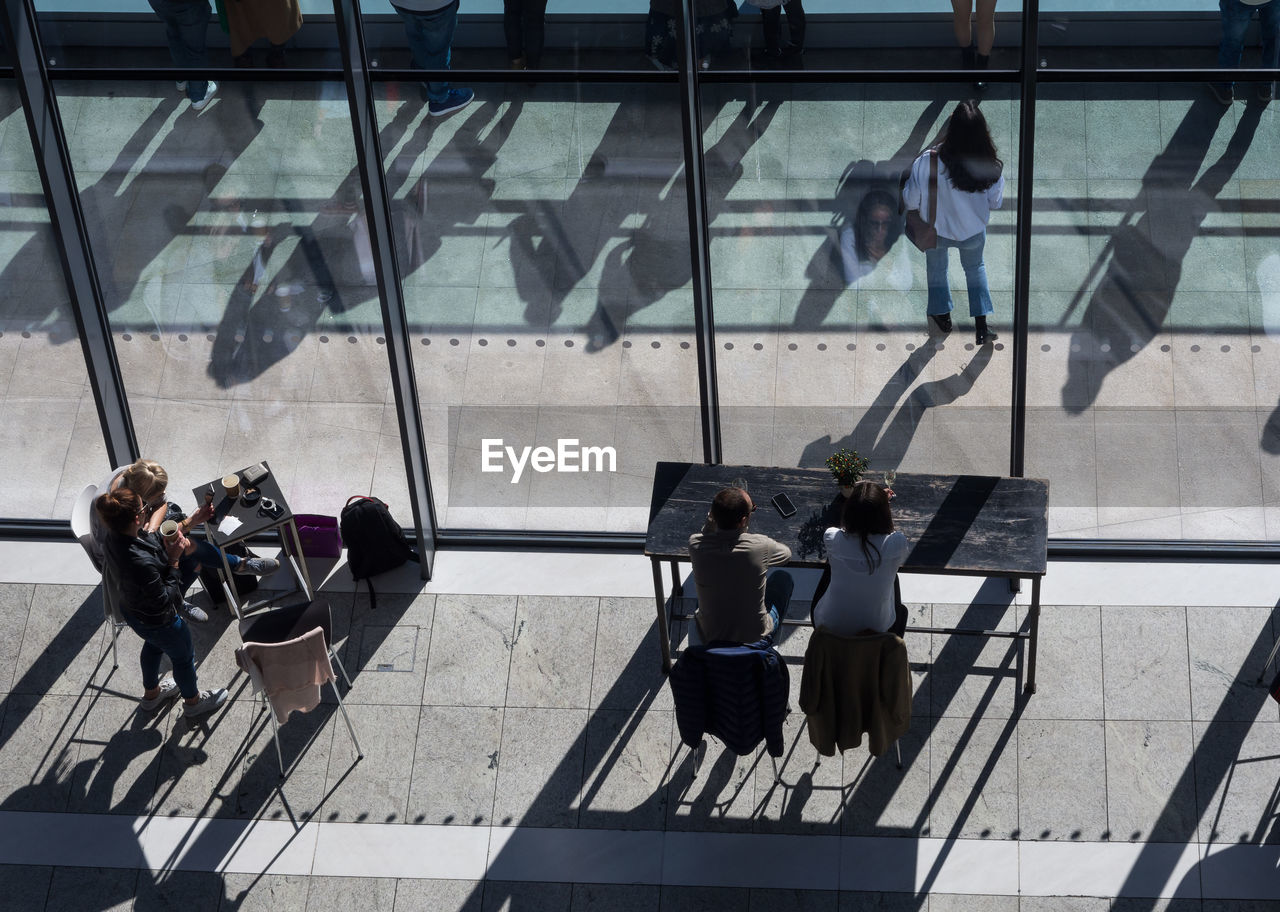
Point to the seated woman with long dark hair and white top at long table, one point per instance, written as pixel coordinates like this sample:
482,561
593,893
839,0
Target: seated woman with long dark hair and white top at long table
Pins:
858,591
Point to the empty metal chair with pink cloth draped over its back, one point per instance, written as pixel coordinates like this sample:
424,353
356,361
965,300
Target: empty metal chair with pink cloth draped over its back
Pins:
292,635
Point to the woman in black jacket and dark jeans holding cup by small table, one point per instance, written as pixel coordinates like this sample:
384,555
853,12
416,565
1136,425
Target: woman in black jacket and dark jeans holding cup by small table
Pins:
143,571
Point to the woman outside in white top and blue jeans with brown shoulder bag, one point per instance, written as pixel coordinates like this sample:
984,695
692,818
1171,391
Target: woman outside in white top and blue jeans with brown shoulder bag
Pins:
970,185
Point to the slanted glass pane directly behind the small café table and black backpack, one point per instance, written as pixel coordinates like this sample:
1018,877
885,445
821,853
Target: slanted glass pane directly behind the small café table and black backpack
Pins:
234,254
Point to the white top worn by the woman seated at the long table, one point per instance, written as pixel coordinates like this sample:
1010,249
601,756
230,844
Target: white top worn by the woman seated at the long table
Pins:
860,598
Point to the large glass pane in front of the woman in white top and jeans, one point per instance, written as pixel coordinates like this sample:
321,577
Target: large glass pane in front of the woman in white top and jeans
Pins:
817,349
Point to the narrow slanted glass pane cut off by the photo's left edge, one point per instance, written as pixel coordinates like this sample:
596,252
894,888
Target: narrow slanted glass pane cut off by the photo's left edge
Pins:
48,416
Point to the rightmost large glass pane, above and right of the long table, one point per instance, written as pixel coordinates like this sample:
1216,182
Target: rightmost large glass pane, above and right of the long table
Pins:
1154,345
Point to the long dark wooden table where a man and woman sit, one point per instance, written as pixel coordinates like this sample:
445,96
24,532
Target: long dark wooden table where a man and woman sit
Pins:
966,526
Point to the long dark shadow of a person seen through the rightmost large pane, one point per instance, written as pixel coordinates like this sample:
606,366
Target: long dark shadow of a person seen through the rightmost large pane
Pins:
1131,304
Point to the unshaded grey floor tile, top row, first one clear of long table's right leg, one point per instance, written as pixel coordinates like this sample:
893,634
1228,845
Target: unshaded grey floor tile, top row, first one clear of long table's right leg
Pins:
1145,664
